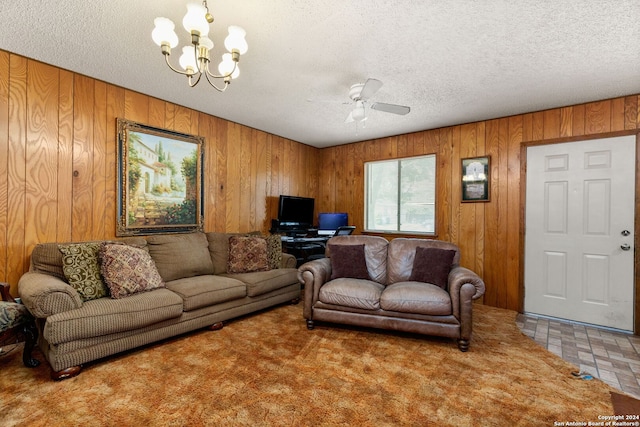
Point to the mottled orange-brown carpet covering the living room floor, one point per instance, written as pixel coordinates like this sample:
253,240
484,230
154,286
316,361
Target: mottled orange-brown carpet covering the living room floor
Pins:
268,369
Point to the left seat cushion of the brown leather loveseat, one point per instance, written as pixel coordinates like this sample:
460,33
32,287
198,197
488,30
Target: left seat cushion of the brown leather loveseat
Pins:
356,293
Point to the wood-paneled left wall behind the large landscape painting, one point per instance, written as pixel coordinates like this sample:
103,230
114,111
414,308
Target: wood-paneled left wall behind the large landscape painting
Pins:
58,161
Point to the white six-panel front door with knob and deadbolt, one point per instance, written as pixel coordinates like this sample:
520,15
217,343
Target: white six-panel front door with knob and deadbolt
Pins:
579,232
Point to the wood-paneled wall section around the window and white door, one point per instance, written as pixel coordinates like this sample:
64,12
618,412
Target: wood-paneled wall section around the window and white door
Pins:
489,234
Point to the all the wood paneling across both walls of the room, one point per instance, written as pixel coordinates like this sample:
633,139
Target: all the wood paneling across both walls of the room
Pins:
58,168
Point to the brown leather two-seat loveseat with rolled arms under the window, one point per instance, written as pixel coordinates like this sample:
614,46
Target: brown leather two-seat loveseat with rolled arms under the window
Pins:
391,297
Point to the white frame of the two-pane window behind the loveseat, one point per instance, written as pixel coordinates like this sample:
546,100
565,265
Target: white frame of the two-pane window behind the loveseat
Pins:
367,180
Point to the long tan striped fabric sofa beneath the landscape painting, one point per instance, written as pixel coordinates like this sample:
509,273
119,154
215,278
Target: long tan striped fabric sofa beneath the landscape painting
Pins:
198,293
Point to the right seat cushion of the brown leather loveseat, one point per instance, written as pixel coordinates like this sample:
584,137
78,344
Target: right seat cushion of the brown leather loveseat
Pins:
416,297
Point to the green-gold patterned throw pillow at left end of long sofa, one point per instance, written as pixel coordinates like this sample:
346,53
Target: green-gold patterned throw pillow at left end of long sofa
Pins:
82,270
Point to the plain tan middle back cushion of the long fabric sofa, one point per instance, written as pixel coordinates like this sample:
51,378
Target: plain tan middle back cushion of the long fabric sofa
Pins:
180,255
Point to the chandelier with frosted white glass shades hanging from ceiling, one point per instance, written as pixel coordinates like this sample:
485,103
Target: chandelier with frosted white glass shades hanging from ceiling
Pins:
195,58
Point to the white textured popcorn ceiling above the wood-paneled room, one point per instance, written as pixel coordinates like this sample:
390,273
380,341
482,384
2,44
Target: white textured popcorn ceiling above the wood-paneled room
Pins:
452,62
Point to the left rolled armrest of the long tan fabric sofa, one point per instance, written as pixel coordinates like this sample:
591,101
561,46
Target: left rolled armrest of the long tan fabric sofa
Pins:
44,295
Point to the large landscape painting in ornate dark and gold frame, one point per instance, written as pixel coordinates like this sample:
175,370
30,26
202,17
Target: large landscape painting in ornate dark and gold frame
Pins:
160,180
